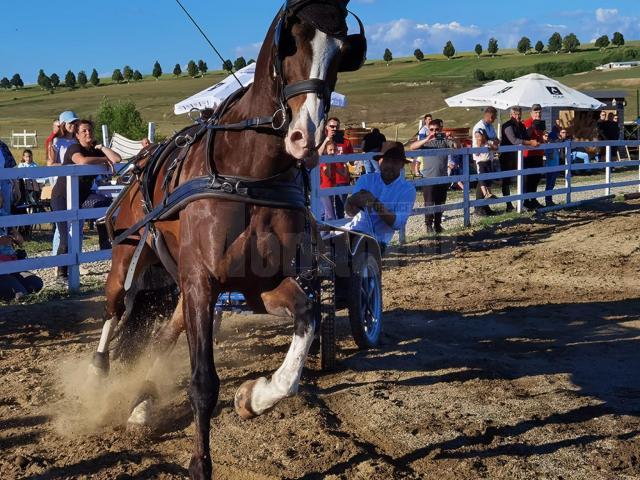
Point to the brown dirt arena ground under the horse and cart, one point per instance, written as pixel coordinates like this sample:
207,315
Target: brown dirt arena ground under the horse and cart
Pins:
509,353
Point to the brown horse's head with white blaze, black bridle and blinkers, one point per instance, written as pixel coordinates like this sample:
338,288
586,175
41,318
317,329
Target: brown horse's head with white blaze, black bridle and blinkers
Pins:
309,46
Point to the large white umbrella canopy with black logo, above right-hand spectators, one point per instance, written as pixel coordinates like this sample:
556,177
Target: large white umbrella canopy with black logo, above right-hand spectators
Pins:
534,88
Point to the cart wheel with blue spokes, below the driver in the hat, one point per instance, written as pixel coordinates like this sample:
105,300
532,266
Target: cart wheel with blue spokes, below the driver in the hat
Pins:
365,300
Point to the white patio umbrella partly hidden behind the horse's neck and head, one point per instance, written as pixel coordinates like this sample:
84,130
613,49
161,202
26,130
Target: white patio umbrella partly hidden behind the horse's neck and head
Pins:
213,96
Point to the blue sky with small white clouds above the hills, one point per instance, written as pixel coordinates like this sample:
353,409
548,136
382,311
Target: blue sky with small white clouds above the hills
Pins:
108,34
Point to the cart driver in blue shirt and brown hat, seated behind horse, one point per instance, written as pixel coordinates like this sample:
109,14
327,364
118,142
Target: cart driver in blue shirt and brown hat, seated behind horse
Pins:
382,202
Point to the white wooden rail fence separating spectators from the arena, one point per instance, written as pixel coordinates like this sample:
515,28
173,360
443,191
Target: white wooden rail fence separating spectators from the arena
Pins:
74,216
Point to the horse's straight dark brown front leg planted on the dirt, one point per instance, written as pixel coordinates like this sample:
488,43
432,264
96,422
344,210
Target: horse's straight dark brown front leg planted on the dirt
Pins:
197,293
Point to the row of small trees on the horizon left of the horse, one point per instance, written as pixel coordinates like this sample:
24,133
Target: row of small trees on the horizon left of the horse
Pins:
125,74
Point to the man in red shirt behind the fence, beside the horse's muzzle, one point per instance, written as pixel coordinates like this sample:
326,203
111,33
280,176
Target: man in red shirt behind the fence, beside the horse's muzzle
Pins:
336,174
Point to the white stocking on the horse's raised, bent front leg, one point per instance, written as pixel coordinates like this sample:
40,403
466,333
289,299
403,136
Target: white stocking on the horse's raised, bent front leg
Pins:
285,381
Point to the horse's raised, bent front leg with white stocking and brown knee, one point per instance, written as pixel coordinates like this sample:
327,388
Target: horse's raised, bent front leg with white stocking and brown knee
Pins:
255,397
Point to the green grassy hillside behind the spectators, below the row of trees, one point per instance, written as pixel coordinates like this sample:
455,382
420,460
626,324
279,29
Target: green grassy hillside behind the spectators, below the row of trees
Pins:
391,97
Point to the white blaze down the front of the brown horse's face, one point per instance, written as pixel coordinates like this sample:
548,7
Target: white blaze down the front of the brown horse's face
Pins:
310,117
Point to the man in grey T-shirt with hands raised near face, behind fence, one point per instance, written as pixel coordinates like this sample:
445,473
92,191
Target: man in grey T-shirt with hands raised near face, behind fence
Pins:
435,166
